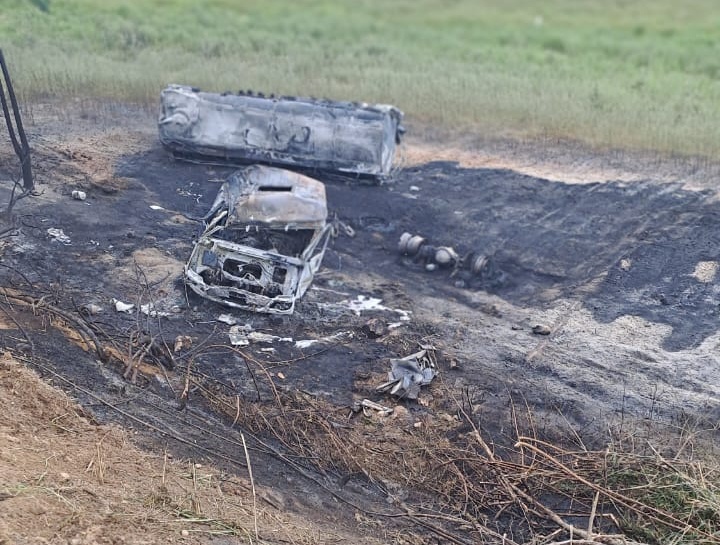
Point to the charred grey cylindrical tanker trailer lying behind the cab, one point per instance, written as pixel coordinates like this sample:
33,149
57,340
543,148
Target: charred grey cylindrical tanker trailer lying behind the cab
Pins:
300,133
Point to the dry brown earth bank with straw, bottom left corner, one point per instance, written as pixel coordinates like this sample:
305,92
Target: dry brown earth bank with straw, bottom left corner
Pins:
66,479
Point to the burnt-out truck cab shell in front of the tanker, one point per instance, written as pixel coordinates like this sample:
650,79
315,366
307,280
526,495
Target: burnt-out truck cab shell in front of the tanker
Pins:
263,241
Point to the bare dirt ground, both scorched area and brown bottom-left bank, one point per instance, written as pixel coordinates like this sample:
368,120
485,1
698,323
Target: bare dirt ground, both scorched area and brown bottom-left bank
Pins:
614,255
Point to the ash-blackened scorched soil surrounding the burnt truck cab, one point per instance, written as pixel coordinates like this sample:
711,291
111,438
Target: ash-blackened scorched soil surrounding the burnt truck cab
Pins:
621,274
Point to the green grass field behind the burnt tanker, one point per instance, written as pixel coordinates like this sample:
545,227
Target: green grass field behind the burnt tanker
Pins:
641,74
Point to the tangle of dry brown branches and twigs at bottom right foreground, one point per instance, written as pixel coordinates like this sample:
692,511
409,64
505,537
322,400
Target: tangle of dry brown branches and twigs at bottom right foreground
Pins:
445,475
